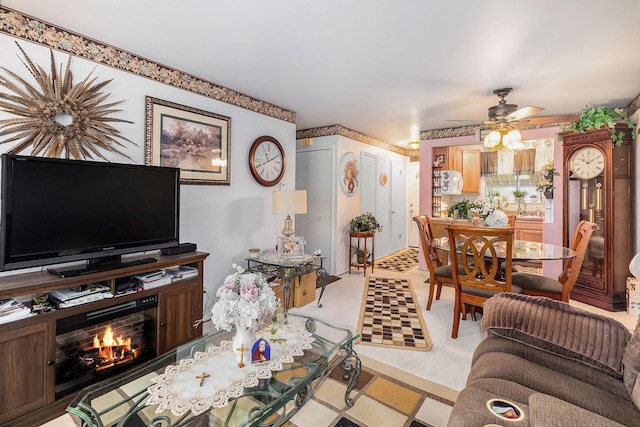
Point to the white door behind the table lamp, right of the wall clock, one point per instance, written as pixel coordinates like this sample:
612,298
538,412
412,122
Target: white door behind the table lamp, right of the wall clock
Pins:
314,173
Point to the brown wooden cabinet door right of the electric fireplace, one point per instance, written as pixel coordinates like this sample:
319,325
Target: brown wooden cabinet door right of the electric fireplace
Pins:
178,310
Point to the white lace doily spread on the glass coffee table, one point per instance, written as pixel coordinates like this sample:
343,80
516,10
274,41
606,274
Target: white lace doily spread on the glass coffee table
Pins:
211,378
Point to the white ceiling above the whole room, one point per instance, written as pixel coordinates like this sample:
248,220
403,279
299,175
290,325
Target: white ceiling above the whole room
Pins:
380,67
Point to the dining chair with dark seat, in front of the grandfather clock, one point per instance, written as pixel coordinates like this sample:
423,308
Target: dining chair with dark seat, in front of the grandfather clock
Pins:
560,289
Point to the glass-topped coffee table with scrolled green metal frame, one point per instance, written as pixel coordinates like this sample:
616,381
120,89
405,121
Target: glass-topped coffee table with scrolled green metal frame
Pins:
124,400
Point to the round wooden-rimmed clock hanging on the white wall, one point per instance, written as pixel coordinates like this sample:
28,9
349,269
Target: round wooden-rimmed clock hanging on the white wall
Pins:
267,161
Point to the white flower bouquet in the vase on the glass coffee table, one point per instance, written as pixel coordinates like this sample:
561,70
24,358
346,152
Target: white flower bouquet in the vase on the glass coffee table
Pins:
245,300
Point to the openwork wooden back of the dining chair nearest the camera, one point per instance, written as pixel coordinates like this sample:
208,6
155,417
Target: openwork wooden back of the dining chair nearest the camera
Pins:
479,265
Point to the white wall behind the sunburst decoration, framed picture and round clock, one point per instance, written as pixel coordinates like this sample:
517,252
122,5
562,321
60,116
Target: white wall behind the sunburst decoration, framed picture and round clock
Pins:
223,220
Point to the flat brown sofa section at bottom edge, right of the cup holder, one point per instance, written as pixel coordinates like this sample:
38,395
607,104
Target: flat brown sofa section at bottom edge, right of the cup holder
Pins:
546,410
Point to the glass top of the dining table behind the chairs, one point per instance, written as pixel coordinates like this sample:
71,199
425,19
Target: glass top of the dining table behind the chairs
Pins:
523,250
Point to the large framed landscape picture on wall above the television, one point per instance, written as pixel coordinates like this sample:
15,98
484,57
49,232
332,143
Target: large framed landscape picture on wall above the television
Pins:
194,140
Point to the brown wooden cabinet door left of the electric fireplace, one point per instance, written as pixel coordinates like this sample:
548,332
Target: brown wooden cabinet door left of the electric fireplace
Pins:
27,380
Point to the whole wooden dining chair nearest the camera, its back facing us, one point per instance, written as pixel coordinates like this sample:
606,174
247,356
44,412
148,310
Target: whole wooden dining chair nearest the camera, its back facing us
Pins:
479,272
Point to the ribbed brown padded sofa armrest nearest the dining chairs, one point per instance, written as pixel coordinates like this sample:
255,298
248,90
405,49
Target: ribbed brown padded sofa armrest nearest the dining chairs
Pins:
558,328
